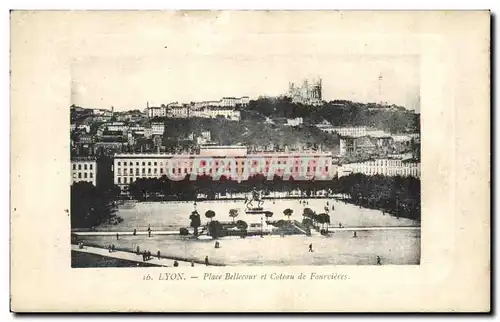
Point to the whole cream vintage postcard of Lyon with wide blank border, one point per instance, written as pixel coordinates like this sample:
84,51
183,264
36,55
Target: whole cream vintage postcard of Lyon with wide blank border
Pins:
250,161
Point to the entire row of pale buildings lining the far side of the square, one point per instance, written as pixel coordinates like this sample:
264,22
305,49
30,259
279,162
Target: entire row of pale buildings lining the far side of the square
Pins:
234,162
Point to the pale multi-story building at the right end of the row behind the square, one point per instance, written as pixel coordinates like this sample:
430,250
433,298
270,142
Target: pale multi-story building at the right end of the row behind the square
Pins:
385,166
